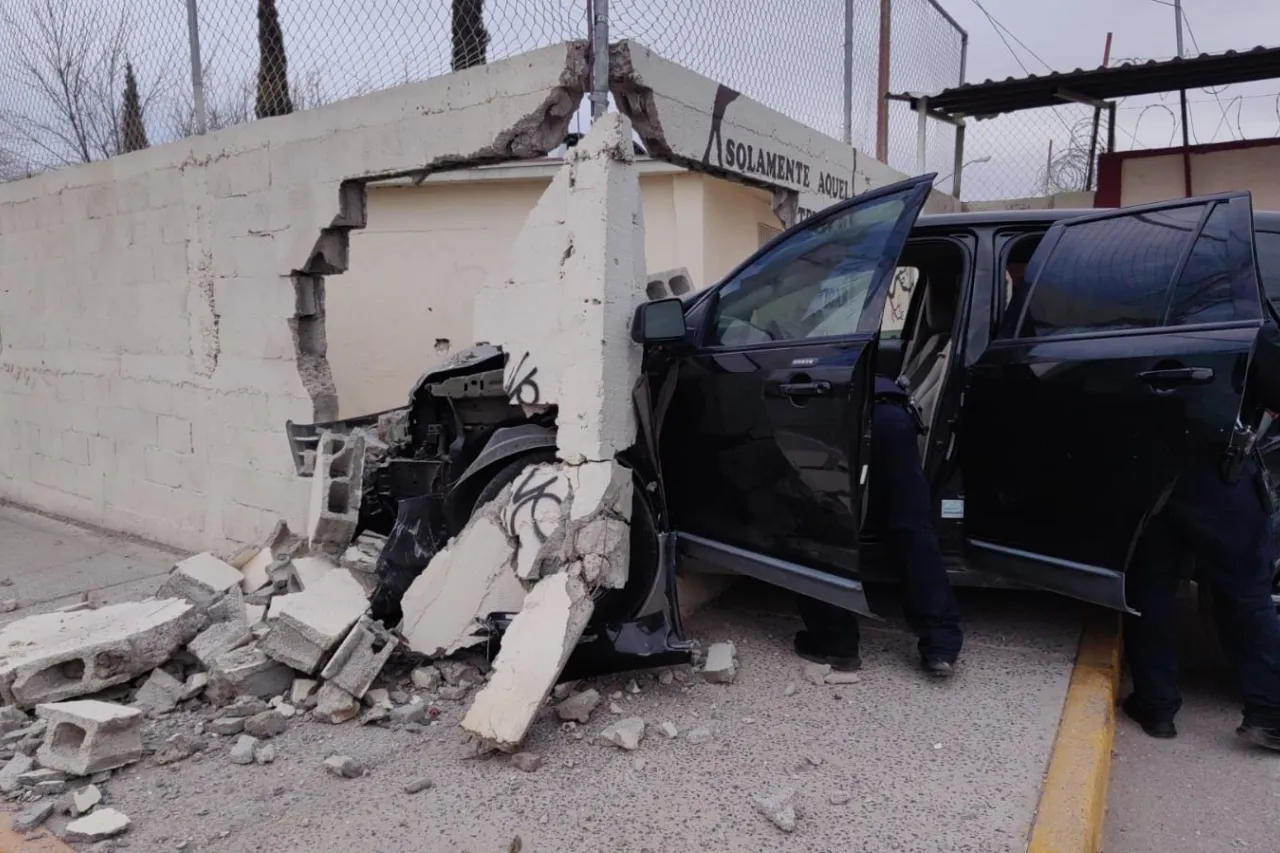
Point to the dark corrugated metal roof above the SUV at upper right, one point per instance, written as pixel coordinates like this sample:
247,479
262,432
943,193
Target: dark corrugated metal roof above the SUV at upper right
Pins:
994,98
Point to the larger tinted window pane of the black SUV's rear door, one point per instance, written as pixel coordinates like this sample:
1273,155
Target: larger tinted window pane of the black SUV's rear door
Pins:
1110,275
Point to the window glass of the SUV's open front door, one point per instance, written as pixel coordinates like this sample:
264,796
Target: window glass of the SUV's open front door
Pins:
812,285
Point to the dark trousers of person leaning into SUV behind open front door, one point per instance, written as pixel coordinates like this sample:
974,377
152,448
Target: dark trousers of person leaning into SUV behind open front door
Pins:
900,509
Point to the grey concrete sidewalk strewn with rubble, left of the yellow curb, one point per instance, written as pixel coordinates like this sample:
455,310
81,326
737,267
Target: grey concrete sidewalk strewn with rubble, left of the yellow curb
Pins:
929,768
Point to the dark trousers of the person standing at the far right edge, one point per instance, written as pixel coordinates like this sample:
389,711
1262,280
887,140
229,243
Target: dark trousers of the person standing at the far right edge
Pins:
1227,528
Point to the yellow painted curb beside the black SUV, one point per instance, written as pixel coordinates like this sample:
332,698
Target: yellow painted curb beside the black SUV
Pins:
1075,801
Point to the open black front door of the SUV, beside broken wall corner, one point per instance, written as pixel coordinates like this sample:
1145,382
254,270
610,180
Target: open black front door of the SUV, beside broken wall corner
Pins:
765,444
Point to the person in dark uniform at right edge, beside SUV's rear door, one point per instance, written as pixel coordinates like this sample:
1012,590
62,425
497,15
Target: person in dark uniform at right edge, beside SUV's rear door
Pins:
1220,512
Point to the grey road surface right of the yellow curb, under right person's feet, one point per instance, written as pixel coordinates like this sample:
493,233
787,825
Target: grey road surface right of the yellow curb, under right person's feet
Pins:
1206,791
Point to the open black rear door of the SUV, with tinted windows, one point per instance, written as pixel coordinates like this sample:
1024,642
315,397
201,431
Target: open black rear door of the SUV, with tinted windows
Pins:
1124,352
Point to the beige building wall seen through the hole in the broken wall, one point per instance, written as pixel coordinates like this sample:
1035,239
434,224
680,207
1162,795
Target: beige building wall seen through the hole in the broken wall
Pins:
406,300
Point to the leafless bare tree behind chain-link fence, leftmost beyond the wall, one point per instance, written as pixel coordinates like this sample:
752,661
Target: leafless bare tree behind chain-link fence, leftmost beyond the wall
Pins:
71,62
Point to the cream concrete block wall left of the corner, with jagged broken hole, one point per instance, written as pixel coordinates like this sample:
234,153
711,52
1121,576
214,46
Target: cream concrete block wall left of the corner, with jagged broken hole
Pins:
162,313
